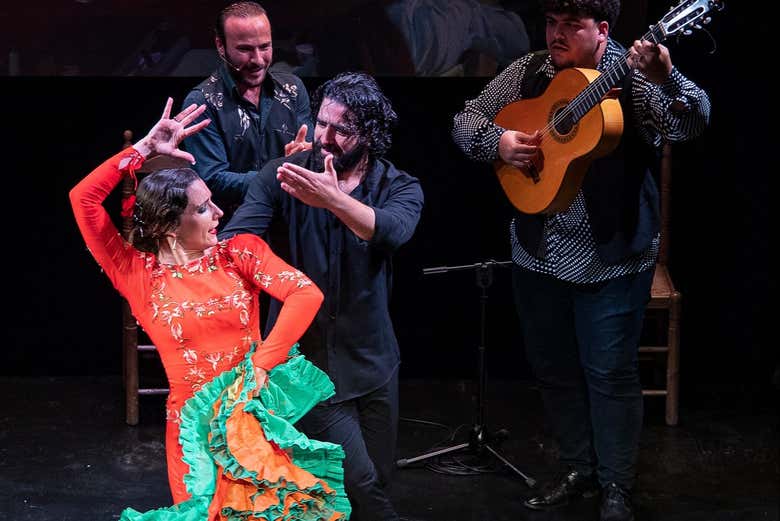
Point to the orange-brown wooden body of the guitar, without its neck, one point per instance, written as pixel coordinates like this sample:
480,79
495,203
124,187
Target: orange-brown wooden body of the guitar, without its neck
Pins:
566,151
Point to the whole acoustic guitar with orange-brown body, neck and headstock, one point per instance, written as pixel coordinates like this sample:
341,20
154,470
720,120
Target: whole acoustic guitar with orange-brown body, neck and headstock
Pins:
579,121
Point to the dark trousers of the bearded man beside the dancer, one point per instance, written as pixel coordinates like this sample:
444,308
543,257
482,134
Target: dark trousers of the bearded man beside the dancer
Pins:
367,429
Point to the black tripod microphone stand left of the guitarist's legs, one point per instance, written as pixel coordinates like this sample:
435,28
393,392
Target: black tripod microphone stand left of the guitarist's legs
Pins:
479,437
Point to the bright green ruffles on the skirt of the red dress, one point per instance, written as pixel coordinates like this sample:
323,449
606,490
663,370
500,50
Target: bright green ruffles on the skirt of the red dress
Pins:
293,388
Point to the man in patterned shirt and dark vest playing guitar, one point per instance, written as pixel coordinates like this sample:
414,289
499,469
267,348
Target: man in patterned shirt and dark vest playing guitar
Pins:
582,277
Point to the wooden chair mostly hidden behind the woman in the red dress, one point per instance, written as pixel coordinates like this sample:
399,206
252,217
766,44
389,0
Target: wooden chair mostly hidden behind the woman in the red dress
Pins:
131,349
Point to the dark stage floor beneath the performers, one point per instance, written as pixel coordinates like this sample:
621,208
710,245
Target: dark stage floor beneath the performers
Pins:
67,454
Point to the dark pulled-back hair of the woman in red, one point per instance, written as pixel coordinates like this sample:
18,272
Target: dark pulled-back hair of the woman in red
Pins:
161,198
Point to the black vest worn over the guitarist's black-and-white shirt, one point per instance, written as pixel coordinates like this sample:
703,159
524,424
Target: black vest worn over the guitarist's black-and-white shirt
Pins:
621,196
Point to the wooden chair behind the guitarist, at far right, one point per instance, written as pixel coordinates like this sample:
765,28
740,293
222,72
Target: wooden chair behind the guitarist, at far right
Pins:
664,307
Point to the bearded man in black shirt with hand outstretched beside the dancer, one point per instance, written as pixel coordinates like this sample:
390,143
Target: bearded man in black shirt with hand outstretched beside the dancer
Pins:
347,210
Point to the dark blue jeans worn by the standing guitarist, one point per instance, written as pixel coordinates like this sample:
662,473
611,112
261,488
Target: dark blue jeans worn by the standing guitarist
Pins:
582,343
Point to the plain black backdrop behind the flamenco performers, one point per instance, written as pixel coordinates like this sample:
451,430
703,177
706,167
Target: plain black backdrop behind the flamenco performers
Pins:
63,317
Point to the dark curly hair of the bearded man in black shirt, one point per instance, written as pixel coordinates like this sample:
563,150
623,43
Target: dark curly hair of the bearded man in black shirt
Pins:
370,112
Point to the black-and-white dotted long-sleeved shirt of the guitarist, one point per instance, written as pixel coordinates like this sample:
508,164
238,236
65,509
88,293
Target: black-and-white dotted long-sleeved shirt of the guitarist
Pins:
568,248
